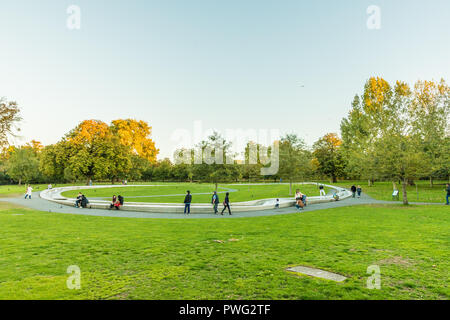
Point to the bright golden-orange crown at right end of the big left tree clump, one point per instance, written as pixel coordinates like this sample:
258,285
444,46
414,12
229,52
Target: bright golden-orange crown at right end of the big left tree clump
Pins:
136,134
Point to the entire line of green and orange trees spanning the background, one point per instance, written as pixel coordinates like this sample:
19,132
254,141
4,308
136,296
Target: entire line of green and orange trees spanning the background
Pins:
392,132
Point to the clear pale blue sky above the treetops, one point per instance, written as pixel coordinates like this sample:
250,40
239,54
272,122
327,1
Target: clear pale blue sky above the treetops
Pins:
230,64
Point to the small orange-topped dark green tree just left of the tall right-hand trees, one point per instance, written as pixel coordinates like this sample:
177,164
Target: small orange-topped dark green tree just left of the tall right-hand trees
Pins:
328,156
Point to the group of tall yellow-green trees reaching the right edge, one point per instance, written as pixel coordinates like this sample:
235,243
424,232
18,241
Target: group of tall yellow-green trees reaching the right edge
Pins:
398,133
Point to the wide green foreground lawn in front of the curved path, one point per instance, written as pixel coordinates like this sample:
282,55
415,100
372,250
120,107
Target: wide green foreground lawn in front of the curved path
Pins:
124,258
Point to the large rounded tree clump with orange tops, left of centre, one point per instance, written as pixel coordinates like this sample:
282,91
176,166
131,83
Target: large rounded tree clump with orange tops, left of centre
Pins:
95,150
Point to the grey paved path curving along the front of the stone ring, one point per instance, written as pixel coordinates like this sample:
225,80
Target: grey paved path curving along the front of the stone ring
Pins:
43,205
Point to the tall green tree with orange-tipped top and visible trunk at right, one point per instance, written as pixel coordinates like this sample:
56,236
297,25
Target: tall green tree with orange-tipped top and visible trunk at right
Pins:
384,128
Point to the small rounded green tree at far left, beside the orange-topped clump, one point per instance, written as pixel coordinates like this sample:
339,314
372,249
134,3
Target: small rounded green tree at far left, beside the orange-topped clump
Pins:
23,165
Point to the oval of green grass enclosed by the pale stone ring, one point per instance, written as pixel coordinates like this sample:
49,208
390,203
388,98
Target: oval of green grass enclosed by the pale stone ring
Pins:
243,192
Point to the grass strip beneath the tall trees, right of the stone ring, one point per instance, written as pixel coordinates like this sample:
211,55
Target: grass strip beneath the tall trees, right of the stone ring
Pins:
383,190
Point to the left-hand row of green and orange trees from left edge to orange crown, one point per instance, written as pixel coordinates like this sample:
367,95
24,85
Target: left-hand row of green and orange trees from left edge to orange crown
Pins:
93,150
